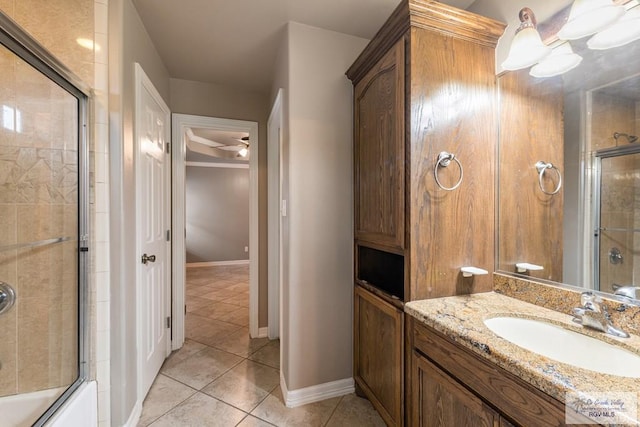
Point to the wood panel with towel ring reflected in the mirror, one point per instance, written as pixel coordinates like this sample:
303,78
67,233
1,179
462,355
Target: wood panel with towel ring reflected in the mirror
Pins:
531,129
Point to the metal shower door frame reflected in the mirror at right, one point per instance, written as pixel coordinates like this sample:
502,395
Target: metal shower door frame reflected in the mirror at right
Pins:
596,208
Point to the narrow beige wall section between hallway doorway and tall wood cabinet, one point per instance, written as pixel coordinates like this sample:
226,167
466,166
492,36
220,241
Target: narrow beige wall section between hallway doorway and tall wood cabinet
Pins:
318,294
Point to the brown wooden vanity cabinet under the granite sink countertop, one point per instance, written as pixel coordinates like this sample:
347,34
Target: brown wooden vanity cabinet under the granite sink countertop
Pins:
448,381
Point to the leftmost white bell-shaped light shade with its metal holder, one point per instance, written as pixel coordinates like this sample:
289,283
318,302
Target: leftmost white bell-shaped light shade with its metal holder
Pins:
526,47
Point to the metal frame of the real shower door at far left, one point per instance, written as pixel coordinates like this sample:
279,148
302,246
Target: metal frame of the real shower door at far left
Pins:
18,41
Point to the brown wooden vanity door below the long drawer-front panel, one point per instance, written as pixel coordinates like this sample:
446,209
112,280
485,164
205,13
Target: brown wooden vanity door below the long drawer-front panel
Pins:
439,400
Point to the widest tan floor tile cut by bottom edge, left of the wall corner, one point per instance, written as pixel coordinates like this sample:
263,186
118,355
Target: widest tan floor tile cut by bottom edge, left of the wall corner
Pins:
201,410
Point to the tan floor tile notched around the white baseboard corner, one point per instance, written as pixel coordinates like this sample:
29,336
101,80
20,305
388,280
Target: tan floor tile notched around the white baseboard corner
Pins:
273,410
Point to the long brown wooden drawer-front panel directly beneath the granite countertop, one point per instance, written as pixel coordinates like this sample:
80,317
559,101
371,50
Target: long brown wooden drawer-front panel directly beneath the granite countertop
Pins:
512,397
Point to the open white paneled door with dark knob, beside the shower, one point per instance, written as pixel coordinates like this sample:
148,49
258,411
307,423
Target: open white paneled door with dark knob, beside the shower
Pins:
152,133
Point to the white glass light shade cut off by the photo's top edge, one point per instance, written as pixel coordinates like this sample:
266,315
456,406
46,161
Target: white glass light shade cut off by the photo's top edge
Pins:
588,17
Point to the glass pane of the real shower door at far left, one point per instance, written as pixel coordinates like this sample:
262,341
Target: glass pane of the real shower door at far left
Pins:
41,129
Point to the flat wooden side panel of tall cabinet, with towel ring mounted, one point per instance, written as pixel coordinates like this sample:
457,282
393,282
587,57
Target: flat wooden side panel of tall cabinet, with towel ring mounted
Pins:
453,109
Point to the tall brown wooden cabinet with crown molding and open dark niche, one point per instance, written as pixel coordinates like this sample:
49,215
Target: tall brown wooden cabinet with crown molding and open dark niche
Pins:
425,84
